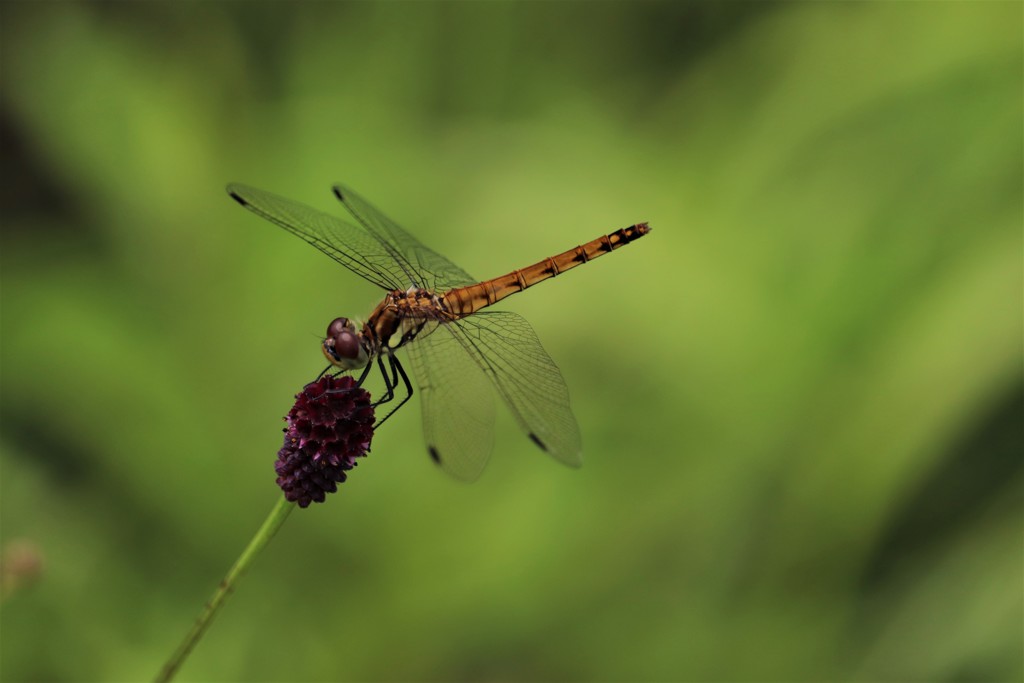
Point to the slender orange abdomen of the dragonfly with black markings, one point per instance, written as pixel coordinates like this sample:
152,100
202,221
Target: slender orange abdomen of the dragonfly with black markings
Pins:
466,301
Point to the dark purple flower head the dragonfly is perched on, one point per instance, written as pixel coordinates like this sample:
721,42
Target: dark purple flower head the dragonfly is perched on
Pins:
331,425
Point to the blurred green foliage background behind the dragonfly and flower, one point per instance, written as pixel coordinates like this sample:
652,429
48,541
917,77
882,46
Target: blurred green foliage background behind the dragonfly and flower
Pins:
801,397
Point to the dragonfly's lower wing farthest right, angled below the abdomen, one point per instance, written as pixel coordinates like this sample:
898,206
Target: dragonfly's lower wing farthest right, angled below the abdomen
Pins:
506,348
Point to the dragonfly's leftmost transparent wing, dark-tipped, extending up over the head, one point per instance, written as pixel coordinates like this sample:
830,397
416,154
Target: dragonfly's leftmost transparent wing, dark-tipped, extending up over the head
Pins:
362,252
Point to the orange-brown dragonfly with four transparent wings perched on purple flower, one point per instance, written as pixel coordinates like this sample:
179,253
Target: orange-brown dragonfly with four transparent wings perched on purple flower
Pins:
459,354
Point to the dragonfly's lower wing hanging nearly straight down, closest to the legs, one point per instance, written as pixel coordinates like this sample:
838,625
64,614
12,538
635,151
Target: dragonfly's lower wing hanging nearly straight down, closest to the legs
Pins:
458,404
